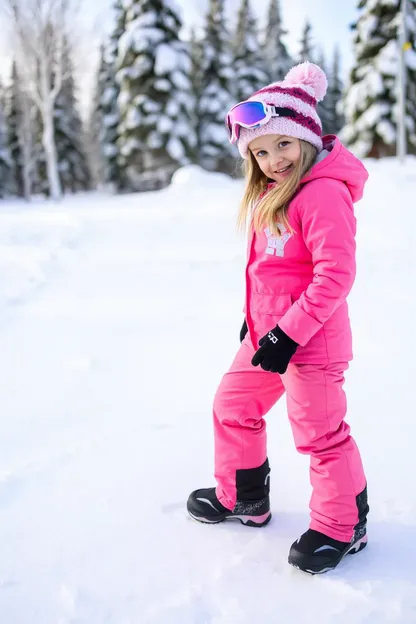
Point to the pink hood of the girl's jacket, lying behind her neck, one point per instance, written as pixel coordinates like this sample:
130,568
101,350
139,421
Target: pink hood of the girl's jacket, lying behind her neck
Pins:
338,163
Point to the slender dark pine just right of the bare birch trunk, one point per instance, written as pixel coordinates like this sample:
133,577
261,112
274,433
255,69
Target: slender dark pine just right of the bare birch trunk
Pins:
69,133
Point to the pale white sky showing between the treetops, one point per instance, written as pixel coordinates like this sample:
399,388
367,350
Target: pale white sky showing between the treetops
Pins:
329,27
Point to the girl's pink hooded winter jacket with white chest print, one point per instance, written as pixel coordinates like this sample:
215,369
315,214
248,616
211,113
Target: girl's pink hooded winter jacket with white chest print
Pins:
301,280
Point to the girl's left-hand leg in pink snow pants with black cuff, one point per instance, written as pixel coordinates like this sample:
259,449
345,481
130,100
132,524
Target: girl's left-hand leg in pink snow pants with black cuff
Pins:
245,394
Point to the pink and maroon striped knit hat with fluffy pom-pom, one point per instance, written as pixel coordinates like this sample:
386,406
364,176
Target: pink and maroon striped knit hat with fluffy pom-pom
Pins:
304,86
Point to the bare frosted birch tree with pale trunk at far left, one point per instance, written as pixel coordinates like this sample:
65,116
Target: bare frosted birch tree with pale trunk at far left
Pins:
39,26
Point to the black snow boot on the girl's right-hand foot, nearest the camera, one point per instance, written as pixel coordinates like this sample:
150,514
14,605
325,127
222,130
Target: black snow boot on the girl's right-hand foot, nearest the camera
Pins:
317,553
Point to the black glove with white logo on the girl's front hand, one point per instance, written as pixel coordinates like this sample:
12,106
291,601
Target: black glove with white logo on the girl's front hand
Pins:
276,350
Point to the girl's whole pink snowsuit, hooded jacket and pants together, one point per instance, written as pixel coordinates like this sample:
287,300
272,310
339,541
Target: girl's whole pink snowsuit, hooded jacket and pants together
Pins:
300,281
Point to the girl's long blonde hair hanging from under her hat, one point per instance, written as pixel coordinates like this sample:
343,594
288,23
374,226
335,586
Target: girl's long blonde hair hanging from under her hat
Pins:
272,209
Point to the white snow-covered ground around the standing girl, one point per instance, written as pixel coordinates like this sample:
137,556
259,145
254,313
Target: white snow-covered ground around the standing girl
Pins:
118,317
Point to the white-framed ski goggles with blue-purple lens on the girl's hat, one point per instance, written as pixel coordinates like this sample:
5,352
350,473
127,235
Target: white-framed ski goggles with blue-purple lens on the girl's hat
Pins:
252,114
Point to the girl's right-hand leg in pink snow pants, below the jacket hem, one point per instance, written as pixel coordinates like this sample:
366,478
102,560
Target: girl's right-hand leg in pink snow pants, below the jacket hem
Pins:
317,407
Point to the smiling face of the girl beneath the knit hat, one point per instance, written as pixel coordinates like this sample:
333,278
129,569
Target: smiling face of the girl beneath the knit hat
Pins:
276,155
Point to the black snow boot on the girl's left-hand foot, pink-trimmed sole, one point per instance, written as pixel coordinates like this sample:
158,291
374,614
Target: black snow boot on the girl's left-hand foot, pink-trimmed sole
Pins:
253,502
